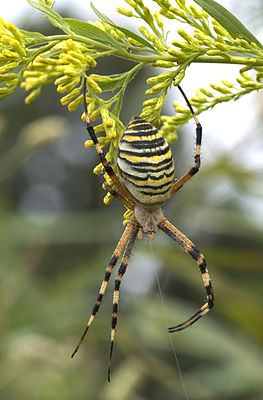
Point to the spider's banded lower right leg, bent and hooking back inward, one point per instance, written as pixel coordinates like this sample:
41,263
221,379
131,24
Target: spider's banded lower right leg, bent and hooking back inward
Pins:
193,251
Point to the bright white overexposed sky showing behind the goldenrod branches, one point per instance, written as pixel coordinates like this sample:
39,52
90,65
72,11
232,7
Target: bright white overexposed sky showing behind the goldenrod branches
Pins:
227,124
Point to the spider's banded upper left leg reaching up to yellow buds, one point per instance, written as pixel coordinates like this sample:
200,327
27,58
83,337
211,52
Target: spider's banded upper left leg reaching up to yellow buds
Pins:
99,150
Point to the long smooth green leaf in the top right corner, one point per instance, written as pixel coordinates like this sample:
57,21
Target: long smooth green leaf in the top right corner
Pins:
227,20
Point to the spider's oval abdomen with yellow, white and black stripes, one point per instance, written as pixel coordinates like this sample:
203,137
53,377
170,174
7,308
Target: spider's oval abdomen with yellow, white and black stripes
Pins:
145,163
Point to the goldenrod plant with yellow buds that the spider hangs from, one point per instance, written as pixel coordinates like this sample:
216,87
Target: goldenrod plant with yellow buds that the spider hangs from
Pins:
212,35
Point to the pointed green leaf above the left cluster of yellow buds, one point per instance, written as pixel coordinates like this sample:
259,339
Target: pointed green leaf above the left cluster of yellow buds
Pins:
92,32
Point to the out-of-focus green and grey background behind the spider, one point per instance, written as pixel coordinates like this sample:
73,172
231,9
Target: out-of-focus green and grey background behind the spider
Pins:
56,238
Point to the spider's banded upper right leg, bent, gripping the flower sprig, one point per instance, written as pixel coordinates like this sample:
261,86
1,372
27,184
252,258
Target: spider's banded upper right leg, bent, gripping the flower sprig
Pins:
180,182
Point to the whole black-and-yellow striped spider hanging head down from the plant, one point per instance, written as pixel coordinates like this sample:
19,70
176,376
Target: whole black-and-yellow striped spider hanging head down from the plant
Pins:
146,182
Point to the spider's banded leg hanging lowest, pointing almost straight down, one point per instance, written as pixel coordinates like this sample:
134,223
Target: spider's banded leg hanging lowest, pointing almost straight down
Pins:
121,272
